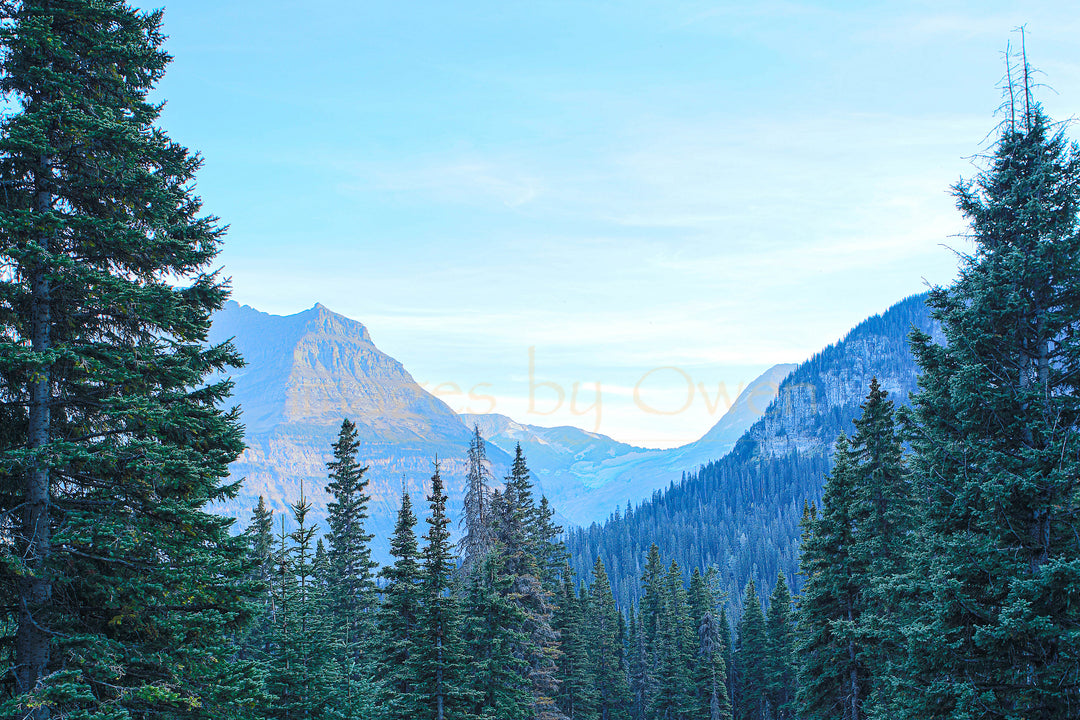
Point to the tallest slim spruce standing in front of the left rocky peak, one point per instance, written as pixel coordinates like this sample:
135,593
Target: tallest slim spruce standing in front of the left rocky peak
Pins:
352,585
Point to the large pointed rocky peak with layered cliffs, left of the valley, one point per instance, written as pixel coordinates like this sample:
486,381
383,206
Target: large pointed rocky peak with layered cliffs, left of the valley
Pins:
305,374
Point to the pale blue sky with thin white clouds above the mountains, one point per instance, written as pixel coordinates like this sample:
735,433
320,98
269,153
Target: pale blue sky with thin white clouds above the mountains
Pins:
713,187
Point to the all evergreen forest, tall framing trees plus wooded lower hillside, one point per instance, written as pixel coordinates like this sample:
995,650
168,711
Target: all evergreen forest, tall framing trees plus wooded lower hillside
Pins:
936,574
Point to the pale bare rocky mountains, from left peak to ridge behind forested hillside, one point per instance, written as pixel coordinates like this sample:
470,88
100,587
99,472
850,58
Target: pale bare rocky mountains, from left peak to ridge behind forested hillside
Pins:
307,372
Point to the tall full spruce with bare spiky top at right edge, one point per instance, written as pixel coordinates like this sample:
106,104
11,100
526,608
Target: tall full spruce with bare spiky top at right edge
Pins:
995,441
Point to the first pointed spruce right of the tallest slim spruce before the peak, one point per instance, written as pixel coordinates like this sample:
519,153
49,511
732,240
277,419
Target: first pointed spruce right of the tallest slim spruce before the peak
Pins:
399,620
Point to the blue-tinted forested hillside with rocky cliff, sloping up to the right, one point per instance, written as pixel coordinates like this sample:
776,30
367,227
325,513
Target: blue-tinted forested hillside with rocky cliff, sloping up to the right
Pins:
741,513
